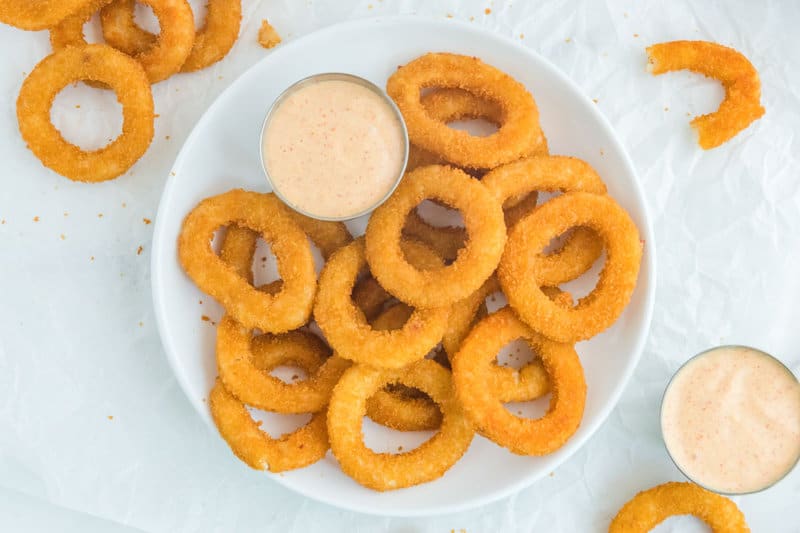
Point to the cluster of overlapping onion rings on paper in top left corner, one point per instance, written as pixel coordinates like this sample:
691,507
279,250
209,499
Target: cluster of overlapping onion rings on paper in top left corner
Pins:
132,60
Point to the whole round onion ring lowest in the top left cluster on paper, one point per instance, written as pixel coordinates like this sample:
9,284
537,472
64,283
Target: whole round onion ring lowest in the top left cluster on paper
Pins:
93,62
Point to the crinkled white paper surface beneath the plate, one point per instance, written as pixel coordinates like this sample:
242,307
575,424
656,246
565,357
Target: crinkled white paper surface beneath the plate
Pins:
78,342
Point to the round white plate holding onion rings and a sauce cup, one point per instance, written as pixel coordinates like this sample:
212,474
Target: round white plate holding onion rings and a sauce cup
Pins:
223,153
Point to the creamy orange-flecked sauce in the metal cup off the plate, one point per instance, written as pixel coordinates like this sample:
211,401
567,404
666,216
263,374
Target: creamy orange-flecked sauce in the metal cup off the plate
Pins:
731,420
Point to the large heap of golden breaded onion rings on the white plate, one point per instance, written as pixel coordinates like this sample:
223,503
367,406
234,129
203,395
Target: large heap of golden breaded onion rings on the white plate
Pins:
408,333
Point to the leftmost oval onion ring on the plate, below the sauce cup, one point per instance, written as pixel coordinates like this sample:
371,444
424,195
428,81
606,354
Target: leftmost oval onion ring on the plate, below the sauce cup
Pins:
287,310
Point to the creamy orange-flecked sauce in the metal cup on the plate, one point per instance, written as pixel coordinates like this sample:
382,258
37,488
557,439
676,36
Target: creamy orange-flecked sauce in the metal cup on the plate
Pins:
333,148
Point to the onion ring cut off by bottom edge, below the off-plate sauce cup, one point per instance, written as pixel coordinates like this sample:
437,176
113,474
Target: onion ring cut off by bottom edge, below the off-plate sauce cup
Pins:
651,507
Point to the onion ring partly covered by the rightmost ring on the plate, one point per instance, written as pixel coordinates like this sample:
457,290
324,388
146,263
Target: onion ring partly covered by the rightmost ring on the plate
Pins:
553,174
